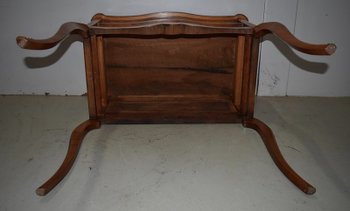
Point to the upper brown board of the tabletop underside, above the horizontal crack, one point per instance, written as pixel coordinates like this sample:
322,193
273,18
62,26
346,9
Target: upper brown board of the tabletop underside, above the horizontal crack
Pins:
205,53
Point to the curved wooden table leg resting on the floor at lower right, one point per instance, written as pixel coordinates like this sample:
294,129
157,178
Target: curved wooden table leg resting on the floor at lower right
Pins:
270,142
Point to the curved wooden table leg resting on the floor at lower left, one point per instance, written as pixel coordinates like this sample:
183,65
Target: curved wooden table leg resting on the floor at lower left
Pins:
73,149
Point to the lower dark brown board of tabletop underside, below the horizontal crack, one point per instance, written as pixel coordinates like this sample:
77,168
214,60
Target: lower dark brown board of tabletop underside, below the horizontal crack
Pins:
163,81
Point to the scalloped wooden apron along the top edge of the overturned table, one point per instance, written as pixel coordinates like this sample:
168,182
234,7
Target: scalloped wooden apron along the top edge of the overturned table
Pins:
169,23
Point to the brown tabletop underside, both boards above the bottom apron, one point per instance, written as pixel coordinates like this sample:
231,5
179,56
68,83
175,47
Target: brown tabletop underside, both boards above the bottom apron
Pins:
169,66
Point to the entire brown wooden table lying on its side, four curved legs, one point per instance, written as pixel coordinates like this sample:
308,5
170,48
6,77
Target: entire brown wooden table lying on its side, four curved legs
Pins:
172,67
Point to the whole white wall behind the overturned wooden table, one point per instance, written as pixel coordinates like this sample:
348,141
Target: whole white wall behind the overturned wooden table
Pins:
61,70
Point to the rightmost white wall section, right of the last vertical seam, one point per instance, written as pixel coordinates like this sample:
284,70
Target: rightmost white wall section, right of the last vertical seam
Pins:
329,22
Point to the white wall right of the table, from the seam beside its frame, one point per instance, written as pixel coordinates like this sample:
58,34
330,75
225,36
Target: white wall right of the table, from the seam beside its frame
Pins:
294,73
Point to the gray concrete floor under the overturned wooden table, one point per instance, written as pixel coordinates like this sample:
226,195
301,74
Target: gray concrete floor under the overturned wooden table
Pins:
175,166
